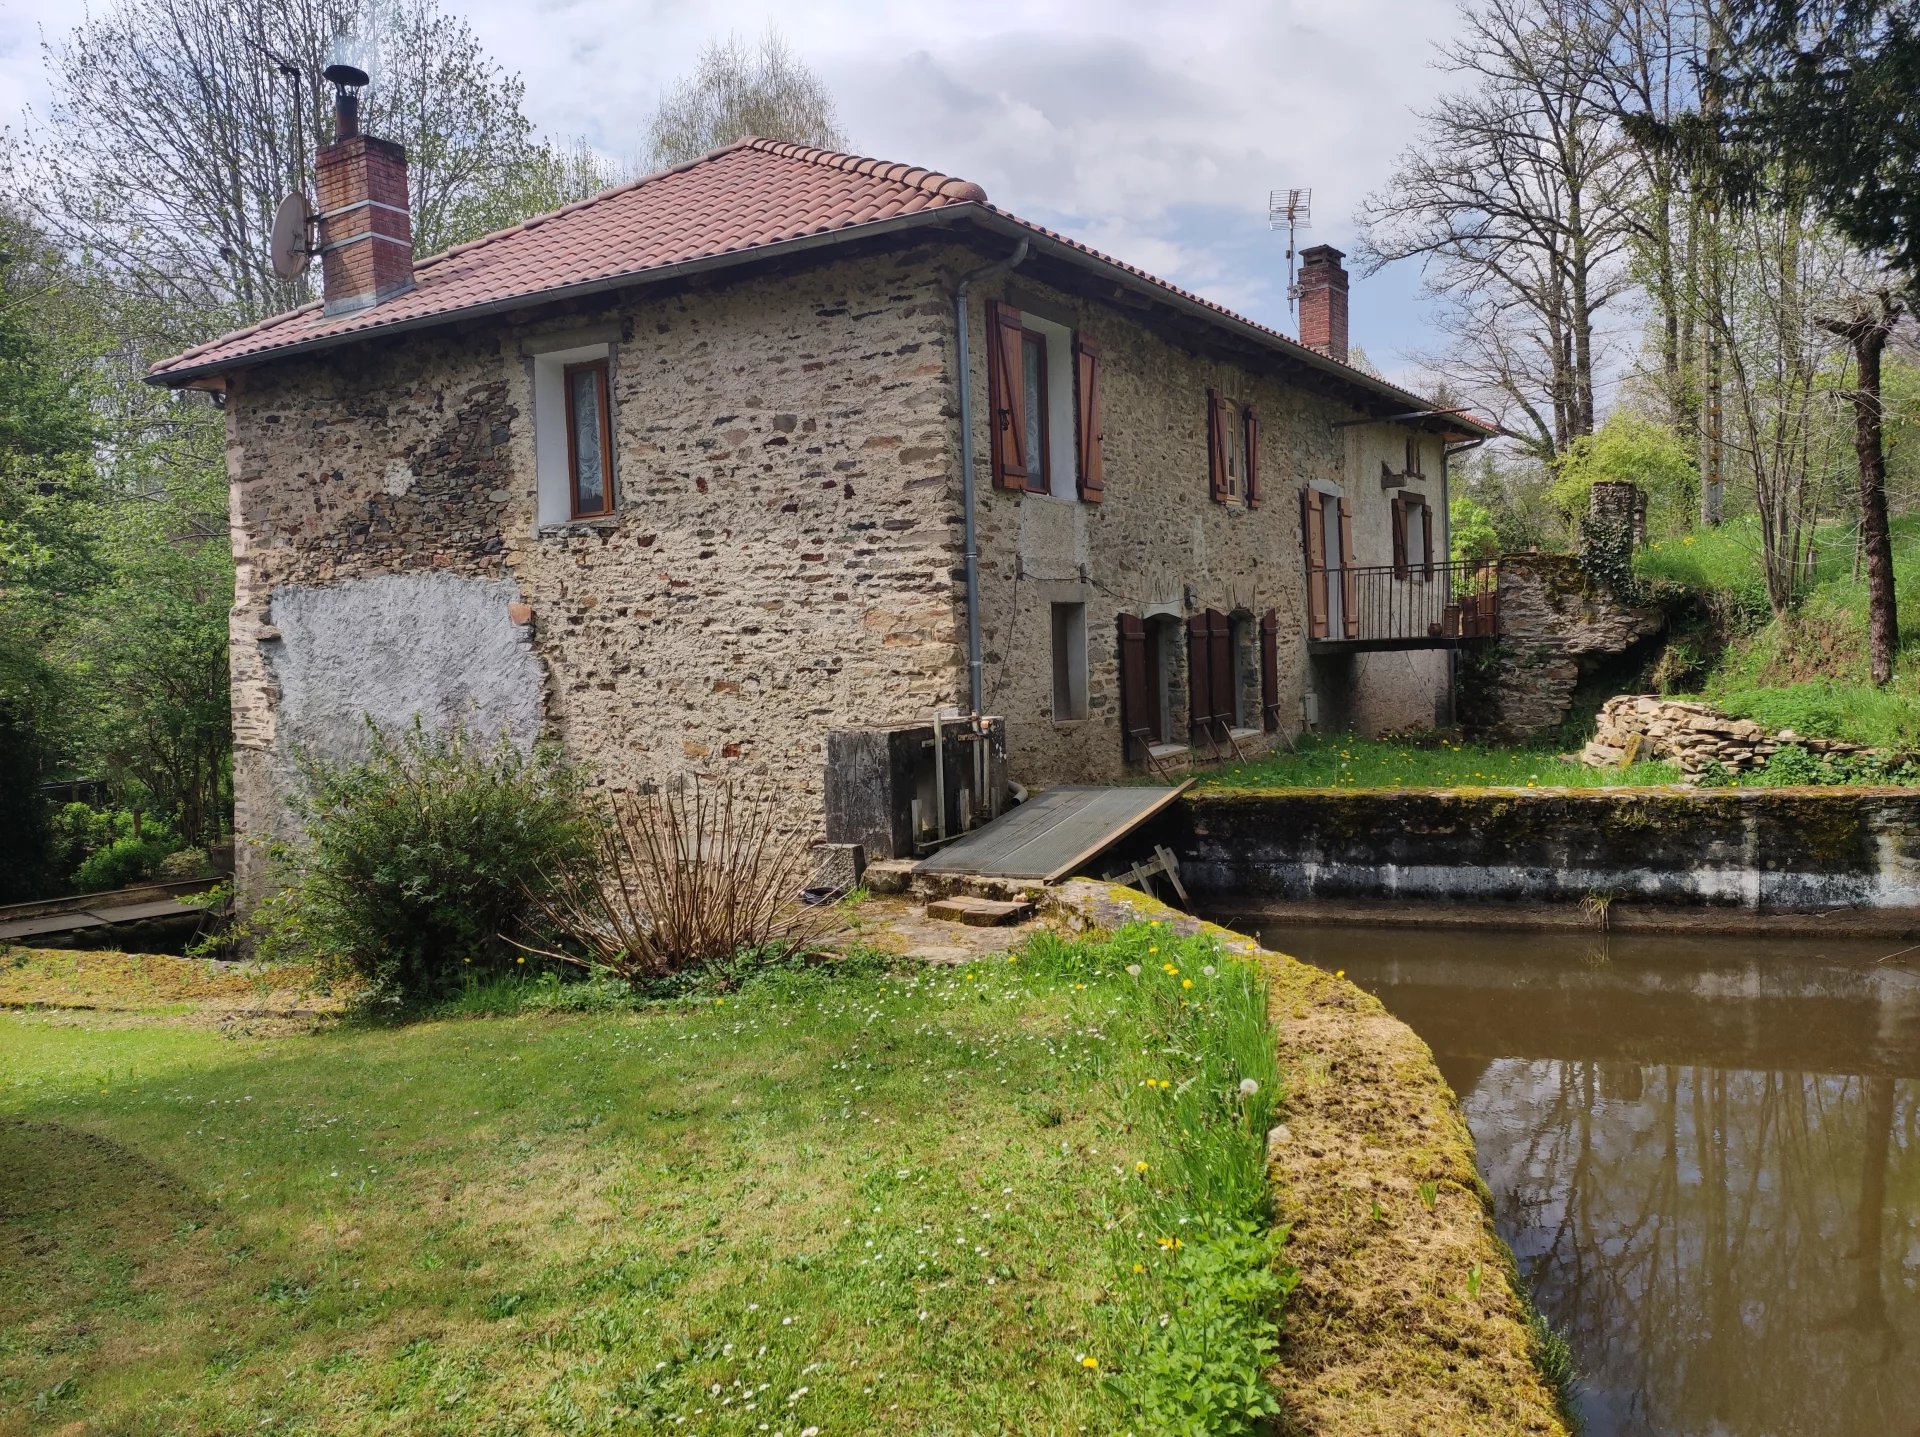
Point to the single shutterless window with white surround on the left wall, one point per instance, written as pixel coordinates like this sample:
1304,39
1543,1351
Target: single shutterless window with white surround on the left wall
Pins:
575,460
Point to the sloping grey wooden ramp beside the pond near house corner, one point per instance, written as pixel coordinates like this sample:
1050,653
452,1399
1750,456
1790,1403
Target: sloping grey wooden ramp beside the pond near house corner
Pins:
1053,835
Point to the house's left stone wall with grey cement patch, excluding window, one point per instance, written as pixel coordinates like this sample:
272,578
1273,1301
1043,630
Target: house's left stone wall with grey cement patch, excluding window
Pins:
782,560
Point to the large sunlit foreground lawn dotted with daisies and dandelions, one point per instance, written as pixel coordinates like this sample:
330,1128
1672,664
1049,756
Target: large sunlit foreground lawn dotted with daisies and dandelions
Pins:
838,1202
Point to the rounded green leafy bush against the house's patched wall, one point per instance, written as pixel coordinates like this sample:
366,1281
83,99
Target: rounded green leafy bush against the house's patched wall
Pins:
418,864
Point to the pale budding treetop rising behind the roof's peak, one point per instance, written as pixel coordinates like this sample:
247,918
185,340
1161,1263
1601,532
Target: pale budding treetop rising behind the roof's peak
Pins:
744,89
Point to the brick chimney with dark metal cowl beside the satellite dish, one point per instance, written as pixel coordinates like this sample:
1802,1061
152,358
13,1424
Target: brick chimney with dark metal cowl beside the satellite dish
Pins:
366,222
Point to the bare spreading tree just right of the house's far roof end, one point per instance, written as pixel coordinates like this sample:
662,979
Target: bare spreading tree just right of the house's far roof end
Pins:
1516,203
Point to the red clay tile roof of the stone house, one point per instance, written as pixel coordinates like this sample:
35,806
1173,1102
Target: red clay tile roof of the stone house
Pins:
750,197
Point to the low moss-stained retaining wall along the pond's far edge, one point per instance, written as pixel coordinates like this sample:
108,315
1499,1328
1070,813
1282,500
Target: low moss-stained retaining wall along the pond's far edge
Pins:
1760,850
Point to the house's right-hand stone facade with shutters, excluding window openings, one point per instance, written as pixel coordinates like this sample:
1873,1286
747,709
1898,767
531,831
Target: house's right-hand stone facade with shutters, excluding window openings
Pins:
1163,548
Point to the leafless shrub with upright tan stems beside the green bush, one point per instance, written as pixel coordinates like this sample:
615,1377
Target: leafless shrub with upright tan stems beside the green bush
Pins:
686,881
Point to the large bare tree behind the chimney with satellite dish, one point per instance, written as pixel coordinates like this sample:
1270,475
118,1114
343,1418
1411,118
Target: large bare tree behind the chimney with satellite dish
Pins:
178,126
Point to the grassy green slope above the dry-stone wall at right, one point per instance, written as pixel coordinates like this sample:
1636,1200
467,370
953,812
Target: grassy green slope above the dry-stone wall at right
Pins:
1808,671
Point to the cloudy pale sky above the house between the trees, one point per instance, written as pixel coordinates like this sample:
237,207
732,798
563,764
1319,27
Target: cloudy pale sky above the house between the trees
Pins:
1153,132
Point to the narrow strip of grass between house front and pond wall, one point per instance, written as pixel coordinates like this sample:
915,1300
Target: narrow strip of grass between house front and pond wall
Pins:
1335,762
